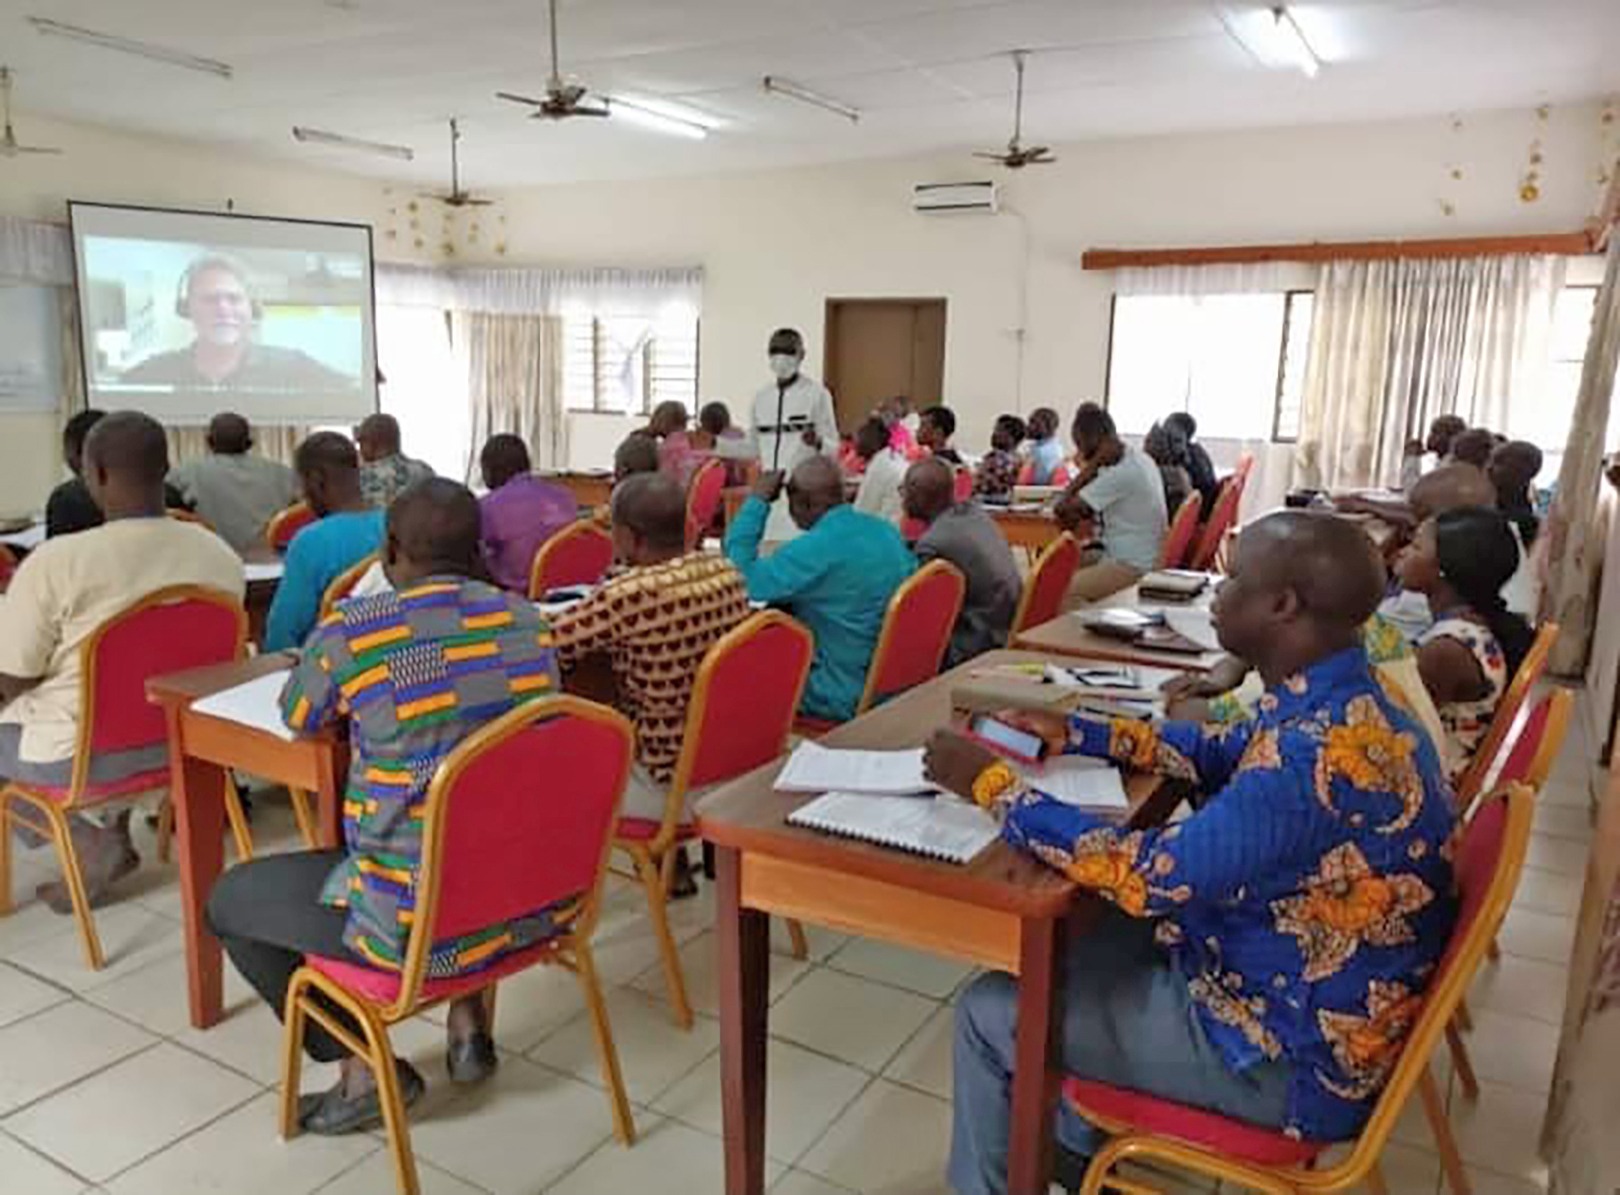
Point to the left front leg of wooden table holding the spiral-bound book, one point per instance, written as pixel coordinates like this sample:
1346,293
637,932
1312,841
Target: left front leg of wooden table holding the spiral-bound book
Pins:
744,967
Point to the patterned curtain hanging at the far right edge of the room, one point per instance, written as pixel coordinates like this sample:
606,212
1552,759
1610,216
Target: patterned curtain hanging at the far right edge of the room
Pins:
1574,529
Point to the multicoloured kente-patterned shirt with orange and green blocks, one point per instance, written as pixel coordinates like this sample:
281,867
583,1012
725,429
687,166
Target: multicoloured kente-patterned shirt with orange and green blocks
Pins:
417,673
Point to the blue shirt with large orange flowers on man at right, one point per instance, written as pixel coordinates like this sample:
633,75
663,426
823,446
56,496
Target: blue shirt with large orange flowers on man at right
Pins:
1310,898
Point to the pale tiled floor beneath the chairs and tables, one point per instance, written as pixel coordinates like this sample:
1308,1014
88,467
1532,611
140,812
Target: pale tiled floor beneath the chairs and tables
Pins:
104,1087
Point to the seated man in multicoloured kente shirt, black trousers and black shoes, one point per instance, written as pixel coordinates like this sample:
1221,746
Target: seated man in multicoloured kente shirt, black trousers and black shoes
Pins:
351,904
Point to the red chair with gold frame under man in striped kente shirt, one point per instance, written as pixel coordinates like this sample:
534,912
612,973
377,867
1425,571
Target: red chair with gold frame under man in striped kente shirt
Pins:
518,819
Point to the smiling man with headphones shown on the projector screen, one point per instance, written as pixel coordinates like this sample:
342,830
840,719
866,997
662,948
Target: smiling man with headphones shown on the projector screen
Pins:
215,296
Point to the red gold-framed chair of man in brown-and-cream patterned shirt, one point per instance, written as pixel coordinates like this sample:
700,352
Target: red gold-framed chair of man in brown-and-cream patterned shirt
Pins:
743,712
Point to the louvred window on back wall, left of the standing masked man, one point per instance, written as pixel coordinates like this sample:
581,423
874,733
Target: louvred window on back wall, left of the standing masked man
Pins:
628,365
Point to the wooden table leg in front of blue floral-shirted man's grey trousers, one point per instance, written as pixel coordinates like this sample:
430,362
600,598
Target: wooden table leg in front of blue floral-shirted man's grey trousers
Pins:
1036,1070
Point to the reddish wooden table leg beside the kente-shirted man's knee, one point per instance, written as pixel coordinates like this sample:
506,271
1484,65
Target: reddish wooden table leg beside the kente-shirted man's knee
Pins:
198,794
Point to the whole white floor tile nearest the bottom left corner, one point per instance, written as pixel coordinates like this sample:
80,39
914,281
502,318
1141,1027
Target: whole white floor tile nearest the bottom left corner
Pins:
130,1112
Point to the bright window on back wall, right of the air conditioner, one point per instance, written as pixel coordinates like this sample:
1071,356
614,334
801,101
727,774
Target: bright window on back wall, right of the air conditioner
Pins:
1234,362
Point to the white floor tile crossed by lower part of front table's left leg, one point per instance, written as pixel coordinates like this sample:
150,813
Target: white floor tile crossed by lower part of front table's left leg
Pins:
804,1095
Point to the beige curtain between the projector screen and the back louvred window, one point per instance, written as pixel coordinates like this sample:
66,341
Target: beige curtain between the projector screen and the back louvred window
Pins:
514,378
